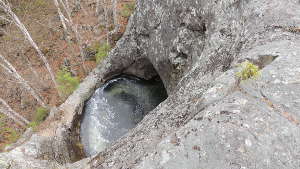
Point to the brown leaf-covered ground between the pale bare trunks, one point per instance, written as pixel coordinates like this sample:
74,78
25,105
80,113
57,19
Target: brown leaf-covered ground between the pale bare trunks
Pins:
41,19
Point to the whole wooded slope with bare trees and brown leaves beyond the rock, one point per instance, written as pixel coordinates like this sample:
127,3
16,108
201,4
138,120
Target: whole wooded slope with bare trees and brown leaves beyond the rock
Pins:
46,48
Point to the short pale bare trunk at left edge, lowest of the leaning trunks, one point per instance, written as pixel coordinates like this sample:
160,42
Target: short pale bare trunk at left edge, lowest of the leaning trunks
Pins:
9,112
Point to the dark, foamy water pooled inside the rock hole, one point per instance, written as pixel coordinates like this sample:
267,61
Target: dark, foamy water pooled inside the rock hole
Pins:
117,107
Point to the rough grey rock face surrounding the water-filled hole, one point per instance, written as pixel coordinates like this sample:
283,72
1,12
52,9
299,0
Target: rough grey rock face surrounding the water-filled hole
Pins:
211,119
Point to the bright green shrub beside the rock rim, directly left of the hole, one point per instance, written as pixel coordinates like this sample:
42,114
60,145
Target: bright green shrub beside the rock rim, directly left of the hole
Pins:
67,83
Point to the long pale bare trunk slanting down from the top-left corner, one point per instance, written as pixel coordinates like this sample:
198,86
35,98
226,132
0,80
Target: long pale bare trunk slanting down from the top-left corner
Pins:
5,6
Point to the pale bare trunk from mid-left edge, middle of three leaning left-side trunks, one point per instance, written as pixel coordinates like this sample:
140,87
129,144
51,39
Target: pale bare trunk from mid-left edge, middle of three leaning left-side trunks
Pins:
8,67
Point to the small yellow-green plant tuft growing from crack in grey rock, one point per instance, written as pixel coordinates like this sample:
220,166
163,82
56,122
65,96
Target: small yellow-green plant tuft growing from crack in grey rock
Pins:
249,70
